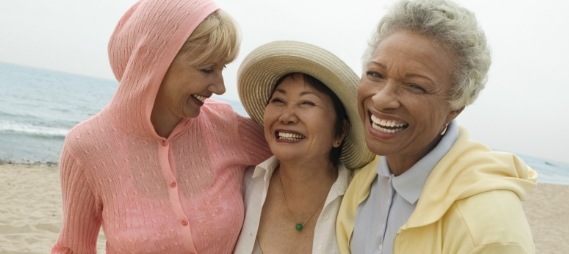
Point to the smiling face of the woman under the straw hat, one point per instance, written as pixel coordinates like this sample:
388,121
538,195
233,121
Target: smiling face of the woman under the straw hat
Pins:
299,122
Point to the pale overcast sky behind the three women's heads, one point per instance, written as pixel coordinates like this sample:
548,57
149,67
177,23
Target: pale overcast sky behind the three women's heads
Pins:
523,109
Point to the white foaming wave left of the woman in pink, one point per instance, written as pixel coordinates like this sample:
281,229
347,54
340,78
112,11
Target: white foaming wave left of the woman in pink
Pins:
32,130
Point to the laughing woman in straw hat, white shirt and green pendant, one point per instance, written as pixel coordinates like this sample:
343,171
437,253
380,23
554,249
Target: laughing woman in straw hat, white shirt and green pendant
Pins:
305,98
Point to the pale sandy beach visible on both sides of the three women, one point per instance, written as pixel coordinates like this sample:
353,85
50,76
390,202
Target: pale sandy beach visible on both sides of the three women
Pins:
30,211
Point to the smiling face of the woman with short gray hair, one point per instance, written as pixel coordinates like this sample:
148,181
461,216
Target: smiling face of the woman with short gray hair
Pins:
403,97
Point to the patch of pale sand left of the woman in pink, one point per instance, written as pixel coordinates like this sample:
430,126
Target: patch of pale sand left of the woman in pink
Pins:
30,208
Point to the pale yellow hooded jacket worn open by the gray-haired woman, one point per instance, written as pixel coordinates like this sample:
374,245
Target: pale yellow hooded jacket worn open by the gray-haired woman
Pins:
470,204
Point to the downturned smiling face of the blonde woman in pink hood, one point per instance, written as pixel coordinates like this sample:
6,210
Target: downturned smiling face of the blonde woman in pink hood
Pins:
184,90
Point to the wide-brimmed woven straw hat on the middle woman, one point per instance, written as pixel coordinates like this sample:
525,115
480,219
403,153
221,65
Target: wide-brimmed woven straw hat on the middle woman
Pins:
261,69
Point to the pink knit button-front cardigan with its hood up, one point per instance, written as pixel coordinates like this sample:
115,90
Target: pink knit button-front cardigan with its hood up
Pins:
151,194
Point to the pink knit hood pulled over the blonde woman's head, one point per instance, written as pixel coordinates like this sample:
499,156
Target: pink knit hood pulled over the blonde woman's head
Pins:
141,49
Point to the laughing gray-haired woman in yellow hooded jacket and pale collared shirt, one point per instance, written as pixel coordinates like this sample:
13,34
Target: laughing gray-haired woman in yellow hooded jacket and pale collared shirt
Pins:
431,189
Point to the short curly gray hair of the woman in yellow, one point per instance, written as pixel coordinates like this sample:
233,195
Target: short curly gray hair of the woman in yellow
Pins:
456,28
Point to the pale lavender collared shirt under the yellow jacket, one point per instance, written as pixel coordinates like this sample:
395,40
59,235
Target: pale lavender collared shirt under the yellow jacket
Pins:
392,200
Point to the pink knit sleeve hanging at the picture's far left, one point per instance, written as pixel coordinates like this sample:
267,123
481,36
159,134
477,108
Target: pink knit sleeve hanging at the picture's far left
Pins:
81,214
